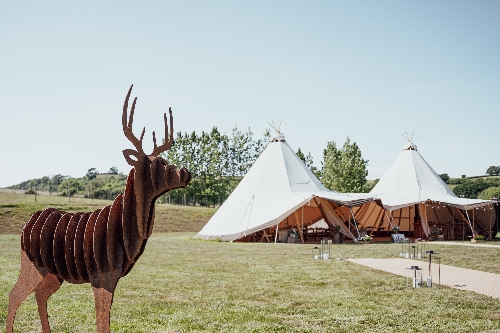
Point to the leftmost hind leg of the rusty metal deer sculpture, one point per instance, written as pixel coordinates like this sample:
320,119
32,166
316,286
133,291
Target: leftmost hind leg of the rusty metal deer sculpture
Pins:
29,279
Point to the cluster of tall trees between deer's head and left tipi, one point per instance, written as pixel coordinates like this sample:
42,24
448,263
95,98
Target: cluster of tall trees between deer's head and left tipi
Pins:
217,162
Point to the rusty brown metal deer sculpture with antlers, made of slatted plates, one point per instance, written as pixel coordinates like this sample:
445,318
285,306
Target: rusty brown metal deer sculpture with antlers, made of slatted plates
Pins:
98,247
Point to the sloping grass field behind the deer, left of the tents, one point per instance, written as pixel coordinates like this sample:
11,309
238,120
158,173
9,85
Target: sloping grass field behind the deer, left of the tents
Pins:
16,209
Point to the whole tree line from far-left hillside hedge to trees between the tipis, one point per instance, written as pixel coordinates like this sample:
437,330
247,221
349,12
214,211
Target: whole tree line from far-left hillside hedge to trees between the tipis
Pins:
217,161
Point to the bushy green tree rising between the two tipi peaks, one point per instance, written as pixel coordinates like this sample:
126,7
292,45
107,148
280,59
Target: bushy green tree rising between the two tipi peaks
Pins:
344,169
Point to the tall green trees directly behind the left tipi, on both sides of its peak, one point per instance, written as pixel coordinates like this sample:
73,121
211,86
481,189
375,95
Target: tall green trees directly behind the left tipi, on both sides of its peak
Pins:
219,161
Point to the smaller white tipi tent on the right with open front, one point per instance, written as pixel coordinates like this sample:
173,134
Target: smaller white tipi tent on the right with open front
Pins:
417,202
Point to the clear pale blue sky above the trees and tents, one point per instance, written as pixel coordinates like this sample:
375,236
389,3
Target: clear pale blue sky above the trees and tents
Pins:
370,70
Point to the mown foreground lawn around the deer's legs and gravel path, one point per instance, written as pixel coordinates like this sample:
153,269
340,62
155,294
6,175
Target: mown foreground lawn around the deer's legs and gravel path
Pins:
185,285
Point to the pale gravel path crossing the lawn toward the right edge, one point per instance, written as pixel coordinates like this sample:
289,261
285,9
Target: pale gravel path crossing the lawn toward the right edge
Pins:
453,277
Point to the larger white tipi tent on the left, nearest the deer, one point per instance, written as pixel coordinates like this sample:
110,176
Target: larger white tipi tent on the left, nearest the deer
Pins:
278,192
